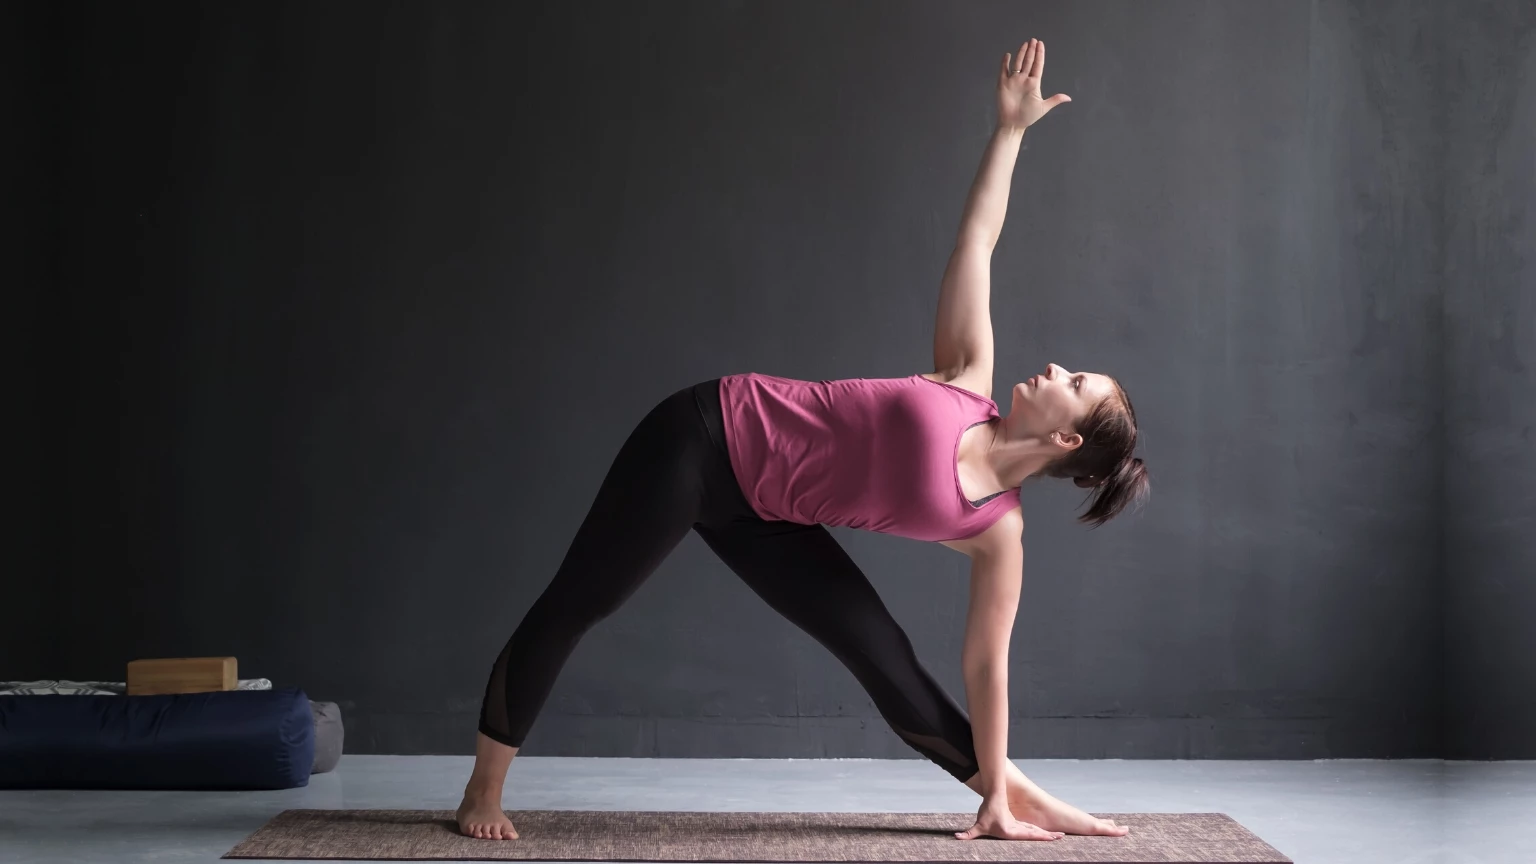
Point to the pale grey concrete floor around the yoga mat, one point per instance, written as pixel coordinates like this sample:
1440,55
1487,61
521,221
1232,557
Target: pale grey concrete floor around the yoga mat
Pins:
1332,812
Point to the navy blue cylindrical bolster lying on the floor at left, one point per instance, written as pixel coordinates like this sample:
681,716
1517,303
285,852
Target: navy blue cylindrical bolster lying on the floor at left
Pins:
222,740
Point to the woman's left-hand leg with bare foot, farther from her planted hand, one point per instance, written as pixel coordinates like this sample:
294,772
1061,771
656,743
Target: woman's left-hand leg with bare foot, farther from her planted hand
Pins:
649,500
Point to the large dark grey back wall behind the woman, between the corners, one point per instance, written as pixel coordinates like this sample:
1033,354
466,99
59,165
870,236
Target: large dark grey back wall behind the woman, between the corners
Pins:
363,299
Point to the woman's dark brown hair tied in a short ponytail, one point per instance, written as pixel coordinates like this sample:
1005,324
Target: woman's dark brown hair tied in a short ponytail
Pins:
1105,462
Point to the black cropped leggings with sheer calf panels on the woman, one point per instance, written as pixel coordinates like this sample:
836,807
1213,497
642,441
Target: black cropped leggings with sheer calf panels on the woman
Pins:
675,474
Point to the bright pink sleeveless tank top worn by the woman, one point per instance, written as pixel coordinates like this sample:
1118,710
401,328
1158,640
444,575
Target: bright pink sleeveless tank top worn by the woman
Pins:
876,454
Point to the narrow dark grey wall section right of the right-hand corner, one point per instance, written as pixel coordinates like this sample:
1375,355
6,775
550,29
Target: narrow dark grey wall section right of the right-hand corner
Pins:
1491,394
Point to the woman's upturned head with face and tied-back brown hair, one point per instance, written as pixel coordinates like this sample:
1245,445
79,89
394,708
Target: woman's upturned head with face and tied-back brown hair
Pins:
1087,420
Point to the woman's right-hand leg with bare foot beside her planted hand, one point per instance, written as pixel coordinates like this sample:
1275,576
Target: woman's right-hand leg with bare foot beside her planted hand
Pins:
806,576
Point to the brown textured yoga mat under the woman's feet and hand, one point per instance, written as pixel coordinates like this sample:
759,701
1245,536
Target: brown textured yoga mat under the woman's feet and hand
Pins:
669,836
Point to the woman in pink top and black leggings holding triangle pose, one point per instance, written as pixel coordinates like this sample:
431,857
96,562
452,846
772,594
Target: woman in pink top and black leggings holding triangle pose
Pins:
761,465
